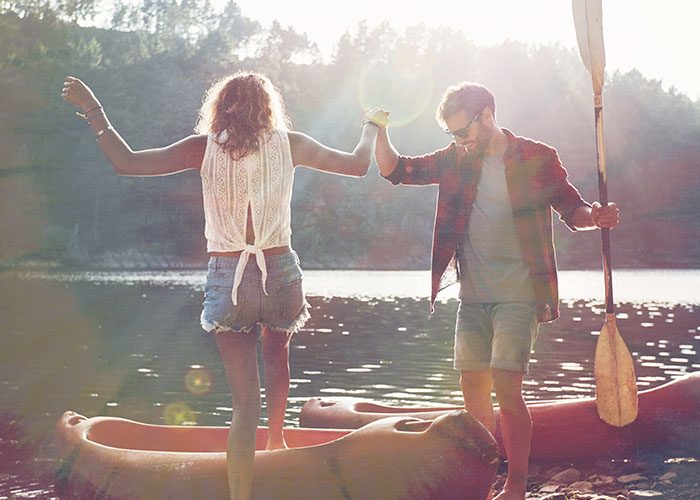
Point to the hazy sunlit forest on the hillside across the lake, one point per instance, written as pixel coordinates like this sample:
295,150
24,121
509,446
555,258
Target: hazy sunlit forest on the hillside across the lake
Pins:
150,62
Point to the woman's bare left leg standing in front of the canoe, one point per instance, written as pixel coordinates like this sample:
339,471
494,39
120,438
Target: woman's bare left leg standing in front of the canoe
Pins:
238,353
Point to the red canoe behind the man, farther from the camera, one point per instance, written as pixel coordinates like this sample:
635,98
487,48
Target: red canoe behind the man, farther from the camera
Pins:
563,430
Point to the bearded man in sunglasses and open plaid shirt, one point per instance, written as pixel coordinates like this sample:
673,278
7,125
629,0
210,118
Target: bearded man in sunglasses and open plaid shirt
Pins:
493,226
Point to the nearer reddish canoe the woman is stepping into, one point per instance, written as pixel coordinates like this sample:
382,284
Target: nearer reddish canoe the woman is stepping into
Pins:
453,456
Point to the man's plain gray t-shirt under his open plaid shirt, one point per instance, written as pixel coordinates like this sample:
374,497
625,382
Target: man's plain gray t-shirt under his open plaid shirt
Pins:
490,257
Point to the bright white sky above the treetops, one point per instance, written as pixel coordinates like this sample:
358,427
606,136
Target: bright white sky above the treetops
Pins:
661,42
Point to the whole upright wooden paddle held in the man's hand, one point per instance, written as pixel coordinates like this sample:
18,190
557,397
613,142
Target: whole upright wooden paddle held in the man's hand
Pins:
616,384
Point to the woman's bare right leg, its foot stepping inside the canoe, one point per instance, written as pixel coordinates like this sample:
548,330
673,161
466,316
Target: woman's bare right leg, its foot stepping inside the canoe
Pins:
275,346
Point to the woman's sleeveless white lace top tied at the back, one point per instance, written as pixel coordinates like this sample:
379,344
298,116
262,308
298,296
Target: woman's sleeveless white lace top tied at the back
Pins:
262,179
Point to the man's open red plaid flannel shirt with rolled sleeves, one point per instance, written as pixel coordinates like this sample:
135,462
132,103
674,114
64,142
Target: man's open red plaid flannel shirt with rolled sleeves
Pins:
537,182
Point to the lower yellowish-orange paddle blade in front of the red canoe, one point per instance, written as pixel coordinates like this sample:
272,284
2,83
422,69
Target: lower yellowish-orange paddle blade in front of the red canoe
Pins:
616,385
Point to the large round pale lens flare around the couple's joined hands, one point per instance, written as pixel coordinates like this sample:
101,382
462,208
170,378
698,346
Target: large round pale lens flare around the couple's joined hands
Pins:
403,88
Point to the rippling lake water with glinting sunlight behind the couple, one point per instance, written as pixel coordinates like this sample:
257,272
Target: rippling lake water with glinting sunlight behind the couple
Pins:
129,344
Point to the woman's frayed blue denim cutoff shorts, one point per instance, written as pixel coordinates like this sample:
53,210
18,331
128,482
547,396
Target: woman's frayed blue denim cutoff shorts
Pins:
284,308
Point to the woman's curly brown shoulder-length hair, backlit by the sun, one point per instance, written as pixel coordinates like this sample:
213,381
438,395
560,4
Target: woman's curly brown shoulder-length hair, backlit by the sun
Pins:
244,105
